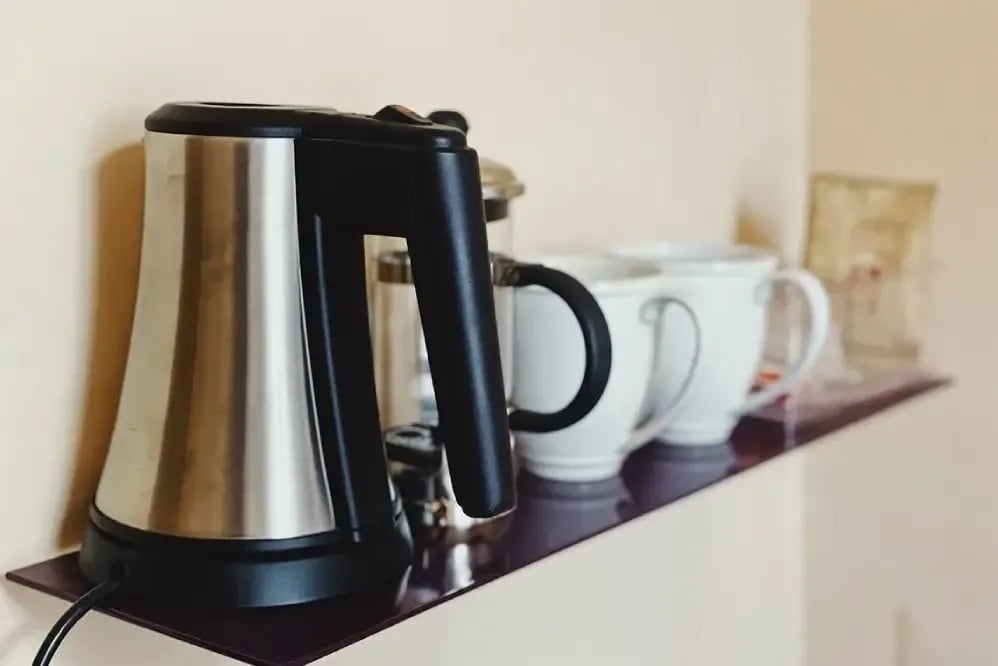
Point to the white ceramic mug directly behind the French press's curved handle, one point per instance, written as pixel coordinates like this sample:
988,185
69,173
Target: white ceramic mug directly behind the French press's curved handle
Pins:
548,360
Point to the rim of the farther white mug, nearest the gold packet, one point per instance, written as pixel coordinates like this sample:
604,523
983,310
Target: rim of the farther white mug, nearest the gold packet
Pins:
699,257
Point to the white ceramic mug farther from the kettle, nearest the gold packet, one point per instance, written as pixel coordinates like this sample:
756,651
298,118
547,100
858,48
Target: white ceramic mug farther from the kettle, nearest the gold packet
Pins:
729,288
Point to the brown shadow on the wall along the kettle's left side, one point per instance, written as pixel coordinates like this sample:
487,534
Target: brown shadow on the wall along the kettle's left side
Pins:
118,228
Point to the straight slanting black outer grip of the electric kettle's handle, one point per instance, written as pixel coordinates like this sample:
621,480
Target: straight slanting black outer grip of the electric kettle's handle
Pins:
453,281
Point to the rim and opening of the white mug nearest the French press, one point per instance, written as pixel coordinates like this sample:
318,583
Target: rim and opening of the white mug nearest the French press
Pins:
648,275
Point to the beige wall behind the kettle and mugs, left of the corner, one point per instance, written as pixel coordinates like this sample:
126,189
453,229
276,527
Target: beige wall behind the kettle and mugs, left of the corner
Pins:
629,119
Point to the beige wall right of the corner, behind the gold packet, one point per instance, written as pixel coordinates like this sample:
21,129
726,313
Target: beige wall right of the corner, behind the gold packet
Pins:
908,89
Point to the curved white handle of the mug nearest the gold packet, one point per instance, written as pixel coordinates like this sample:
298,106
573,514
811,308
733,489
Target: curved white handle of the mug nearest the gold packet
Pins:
816,299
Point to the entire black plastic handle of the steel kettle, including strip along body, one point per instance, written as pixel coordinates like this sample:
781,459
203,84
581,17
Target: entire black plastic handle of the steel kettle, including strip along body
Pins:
412,184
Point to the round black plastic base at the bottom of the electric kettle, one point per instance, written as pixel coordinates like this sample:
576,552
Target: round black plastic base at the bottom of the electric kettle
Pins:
240,573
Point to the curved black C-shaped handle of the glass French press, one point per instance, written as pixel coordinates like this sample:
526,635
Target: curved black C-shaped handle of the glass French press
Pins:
595,339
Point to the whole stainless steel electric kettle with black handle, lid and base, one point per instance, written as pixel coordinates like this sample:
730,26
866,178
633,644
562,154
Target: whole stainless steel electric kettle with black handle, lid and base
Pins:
246,466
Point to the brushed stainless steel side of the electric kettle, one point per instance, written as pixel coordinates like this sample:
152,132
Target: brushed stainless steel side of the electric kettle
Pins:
214,435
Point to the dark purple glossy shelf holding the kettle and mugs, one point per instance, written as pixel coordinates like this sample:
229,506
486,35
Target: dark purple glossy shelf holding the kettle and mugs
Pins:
550,516
